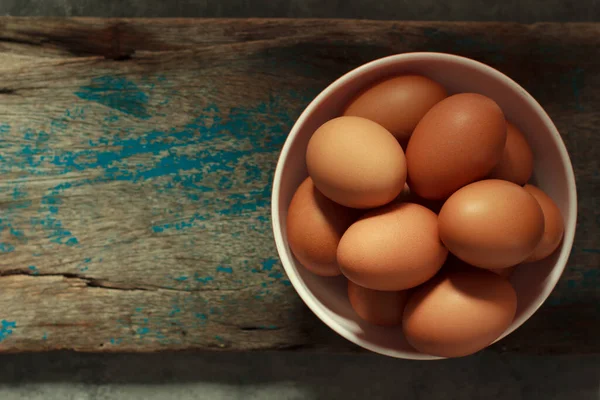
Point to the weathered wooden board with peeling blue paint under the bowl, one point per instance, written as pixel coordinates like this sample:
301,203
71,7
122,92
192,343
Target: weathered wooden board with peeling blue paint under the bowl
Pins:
136,159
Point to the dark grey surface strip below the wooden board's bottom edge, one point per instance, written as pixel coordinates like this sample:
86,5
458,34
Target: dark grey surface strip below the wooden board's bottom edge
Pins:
292,375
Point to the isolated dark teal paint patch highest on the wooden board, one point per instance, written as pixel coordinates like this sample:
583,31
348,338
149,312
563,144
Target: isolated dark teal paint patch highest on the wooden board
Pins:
118,93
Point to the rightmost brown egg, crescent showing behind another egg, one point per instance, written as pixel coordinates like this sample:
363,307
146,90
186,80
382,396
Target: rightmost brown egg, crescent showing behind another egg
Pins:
553,225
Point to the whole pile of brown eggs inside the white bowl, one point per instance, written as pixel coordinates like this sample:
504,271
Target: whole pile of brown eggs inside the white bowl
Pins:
421,200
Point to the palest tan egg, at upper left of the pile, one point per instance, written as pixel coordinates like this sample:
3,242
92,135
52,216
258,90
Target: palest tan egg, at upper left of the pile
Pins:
356,162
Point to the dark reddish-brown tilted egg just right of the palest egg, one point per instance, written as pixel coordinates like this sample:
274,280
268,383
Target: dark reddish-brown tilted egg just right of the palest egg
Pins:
457,142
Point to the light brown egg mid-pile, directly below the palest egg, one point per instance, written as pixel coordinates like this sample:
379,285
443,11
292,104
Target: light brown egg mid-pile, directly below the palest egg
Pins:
395,247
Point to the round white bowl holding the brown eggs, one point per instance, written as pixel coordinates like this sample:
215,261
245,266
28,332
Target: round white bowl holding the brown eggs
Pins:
553,173
